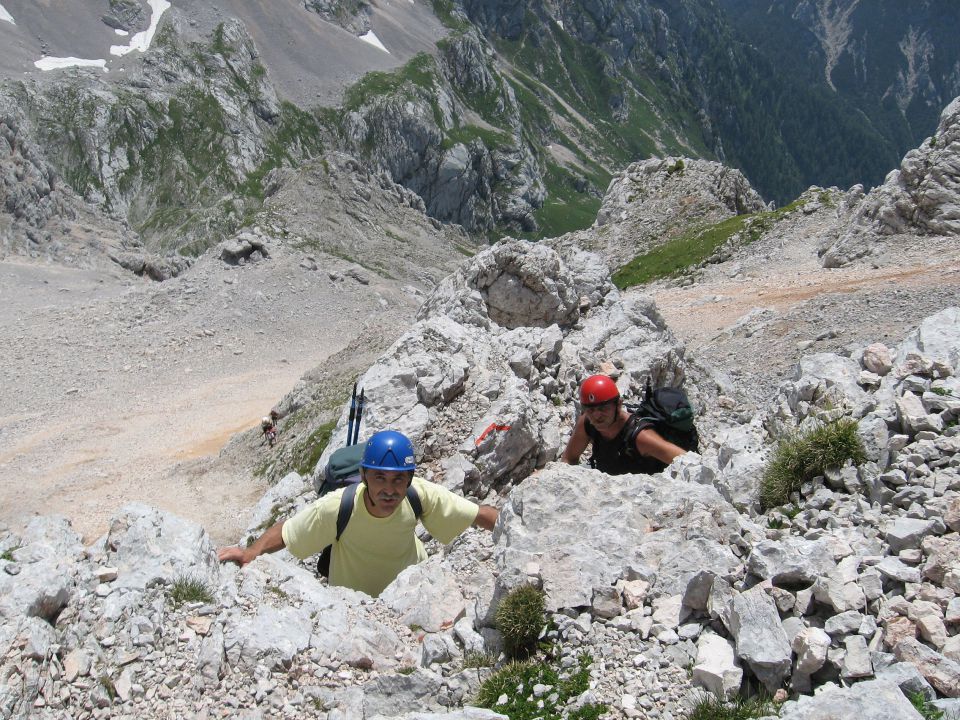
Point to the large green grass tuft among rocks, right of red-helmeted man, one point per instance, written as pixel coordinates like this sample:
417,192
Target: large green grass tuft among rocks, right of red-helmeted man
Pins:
800,457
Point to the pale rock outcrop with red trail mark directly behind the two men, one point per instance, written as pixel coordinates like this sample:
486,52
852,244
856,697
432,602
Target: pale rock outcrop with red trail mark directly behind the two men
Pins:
485,377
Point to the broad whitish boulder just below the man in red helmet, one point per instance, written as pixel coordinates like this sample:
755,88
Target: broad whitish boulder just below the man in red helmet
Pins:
652,527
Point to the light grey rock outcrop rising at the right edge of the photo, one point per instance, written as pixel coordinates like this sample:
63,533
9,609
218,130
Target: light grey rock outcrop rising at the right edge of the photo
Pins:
922,196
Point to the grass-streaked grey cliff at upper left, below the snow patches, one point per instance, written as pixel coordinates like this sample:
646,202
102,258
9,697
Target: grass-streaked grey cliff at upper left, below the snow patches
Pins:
161,149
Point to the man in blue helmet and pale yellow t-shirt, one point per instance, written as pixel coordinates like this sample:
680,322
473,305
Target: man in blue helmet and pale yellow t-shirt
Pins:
379,540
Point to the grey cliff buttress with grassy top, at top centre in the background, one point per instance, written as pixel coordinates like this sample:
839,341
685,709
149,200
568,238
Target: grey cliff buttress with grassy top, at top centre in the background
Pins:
429,140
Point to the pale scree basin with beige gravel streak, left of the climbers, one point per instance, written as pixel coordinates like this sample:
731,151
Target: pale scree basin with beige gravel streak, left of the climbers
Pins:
117,390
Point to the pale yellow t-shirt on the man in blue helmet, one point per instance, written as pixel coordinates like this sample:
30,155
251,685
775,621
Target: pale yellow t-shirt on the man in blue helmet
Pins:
372,551
